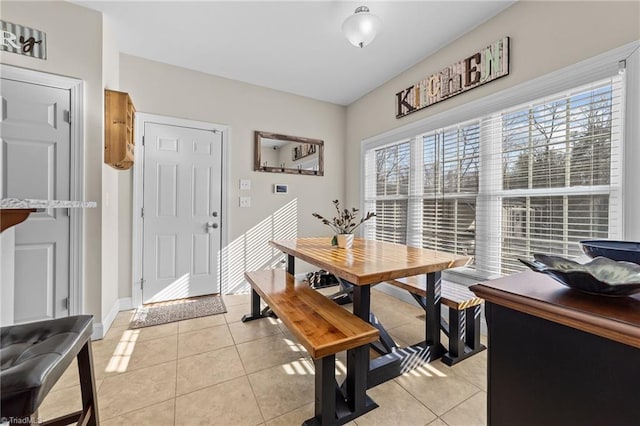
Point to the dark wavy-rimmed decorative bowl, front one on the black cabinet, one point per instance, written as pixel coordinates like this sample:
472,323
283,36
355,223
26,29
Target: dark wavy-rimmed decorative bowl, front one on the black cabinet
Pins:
601,276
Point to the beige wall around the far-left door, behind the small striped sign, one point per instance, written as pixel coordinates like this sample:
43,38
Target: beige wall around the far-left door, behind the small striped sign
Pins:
74,49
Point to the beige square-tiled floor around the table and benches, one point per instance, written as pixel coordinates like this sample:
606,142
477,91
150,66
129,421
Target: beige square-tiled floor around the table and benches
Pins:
219,371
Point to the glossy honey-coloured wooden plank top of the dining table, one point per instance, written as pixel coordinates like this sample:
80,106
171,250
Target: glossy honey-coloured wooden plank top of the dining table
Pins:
369,261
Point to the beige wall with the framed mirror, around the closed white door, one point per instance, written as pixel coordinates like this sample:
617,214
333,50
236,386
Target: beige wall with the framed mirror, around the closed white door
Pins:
173,91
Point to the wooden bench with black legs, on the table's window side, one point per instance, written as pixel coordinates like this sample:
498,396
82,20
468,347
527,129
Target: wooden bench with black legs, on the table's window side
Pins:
463,328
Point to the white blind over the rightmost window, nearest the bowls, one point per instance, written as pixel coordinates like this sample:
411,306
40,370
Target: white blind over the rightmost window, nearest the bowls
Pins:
551,176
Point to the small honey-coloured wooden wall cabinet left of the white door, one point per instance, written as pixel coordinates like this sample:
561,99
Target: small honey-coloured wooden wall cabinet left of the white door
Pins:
118,129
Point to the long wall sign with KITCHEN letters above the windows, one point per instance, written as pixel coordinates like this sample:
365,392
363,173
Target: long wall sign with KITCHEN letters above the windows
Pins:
484,66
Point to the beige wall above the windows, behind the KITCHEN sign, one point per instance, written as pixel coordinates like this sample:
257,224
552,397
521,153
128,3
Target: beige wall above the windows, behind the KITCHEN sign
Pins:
545,36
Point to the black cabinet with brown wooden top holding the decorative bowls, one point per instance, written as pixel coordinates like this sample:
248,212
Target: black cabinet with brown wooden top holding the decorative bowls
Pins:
560,357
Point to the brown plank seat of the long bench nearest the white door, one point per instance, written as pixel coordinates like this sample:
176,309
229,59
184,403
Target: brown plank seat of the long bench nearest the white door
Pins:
320,325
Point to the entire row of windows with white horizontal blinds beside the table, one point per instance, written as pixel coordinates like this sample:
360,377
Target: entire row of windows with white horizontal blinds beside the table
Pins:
536,178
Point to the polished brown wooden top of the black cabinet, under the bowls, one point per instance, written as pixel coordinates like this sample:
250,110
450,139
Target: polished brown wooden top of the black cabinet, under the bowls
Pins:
617,318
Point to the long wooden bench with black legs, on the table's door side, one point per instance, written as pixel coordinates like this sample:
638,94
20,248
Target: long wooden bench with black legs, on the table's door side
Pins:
324,329
